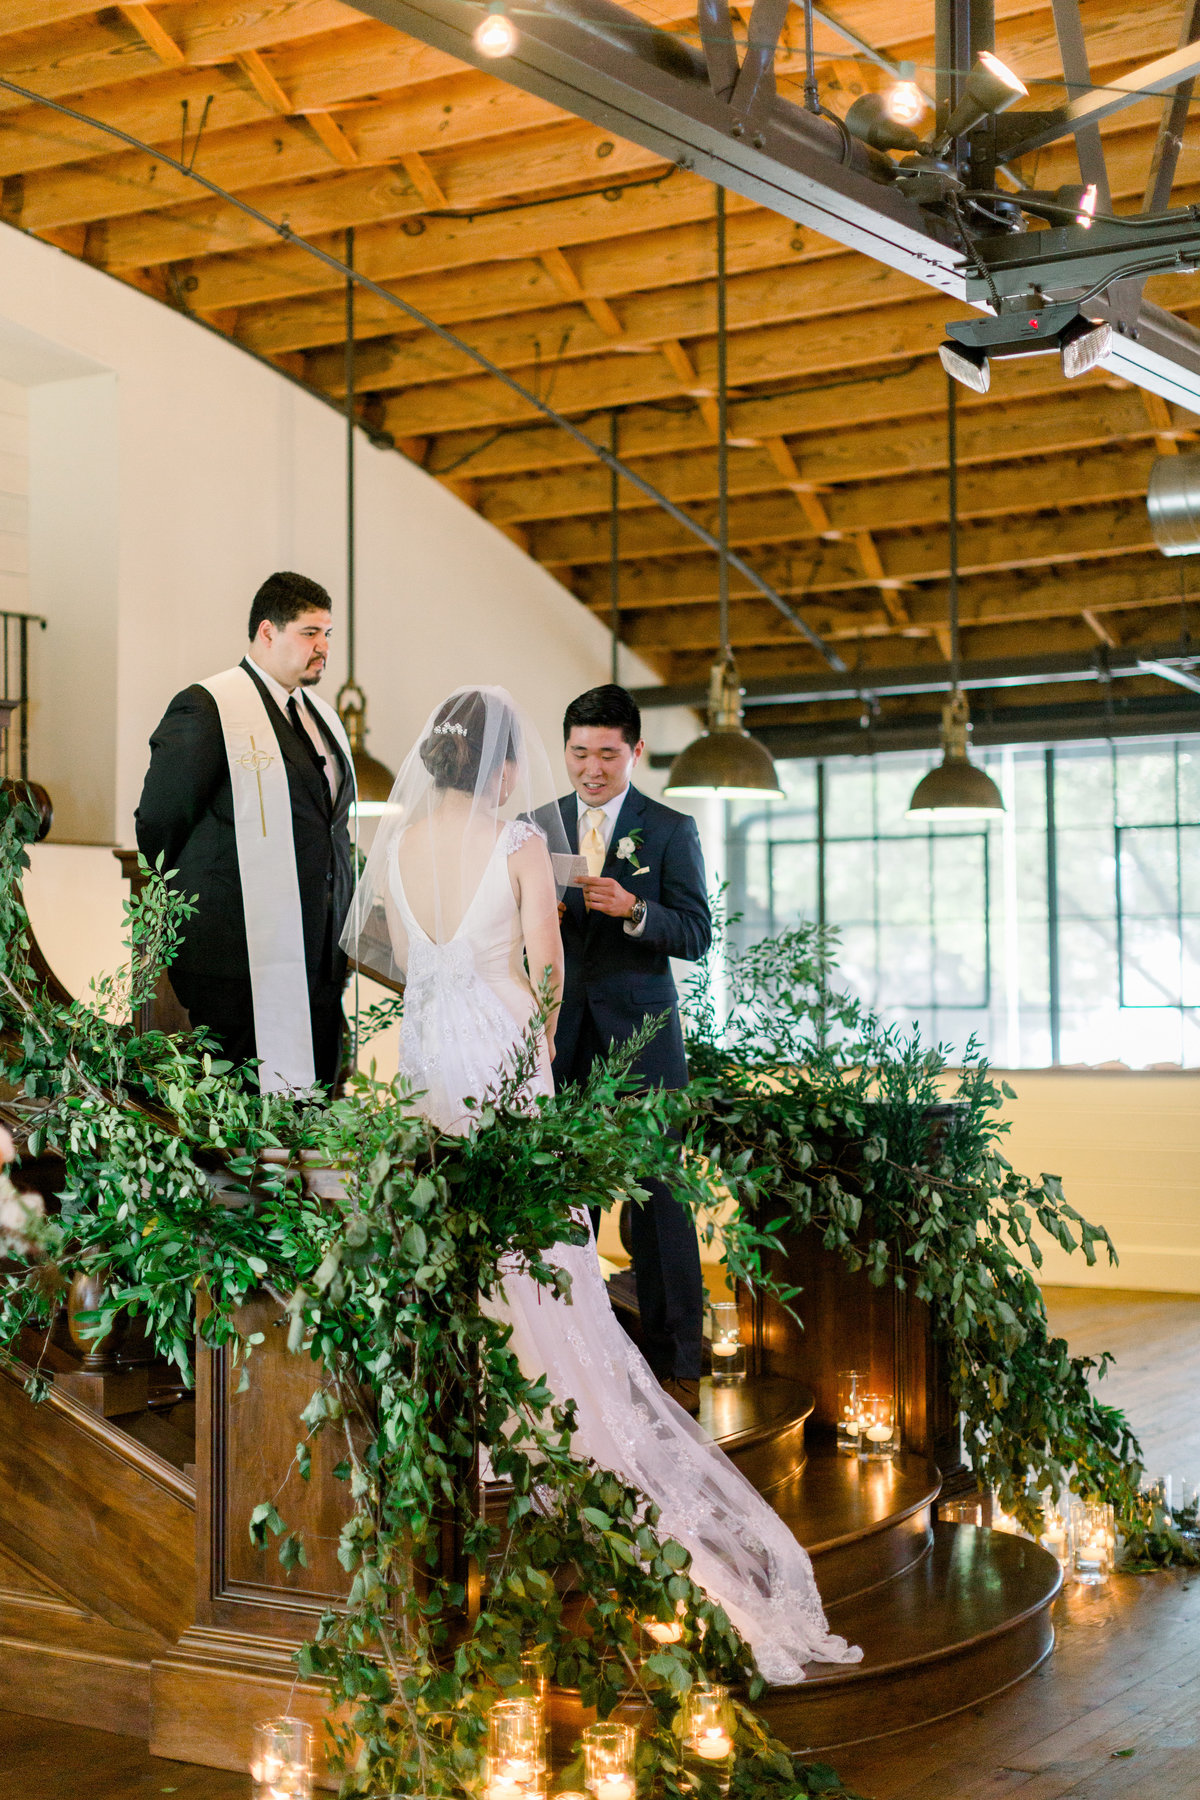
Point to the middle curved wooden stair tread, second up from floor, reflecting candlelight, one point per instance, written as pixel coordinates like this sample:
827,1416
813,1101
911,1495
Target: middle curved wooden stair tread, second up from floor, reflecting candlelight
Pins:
837,1500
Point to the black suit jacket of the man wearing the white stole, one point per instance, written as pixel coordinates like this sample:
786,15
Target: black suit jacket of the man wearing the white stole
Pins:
186,816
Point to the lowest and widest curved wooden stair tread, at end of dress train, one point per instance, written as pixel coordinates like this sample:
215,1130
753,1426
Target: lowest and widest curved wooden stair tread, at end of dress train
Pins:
972,1587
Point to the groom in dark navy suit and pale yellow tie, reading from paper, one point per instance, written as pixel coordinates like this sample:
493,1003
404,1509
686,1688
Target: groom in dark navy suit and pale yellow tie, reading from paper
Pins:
643,903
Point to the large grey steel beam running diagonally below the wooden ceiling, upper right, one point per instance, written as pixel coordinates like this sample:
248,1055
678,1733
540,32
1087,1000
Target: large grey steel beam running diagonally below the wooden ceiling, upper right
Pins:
611,67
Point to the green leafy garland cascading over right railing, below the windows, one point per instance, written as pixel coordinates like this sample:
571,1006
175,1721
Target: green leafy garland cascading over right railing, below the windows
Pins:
828,1115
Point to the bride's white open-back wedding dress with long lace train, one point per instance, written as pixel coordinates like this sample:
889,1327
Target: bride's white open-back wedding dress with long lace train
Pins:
467,1005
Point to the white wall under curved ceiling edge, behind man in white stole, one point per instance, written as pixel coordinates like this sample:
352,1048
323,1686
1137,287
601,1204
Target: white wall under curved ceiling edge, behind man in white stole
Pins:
172,474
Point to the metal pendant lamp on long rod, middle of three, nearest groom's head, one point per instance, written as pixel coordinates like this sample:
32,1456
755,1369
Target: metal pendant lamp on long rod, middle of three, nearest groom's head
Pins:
726,762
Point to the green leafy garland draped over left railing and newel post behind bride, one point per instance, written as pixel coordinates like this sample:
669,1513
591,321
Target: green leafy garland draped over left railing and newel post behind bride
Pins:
183,1187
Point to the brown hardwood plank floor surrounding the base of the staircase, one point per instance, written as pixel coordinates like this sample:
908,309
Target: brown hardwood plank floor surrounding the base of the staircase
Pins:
1113,1716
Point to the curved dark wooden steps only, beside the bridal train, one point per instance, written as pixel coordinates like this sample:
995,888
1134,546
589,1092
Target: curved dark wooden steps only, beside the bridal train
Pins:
947,1615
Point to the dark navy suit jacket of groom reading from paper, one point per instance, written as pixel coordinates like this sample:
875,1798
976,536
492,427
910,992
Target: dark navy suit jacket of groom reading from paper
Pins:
618,978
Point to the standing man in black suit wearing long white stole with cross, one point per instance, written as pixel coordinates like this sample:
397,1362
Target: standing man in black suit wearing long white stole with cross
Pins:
247,798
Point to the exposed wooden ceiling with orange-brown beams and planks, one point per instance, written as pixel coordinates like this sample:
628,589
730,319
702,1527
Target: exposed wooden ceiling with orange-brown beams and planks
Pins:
587,267
